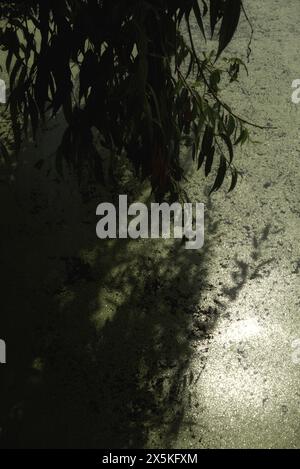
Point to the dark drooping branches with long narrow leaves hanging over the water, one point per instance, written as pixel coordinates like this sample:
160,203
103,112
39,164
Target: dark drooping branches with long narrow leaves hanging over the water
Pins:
142,84
